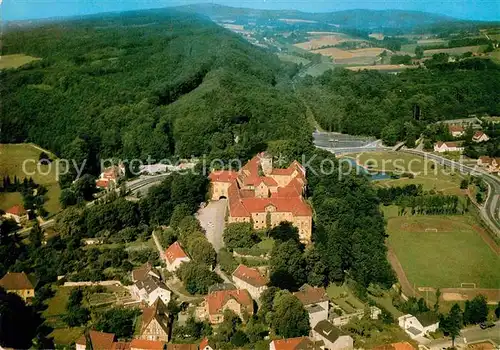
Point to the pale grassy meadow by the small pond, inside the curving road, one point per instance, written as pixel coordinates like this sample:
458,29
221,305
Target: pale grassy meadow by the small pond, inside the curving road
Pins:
426,172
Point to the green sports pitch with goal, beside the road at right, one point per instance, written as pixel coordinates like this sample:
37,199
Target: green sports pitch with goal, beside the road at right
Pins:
454,254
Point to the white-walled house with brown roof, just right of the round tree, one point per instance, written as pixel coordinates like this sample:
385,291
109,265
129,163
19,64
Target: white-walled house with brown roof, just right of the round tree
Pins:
315,301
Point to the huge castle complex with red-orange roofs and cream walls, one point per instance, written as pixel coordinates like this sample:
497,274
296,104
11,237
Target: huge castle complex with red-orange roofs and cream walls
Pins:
264,195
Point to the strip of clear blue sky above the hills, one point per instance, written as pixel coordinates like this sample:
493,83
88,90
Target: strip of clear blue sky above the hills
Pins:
488,10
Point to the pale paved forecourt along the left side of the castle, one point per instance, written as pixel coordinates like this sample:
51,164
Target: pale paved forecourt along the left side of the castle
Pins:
212,218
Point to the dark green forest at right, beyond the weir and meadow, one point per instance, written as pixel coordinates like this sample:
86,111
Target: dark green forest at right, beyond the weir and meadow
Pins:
398,107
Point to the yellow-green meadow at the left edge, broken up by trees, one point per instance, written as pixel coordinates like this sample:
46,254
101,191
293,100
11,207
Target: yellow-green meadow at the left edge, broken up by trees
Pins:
12,157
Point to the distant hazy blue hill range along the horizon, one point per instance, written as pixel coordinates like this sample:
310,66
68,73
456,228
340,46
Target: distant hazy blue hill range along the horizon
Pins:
359,19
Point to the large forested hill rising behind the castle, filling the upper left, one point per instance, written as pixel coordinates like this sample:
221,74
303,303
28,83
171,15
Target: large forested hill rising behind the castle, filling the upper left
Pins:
149,83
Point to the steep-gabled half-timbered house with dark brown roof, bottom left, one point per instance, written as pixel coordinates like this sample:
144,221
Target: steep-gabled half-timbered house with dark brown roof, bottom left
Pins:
155,322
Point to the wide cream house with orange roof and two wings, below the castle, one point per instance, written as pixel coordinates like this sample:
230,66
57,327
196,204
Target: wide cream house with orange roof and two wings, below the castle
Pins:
238,300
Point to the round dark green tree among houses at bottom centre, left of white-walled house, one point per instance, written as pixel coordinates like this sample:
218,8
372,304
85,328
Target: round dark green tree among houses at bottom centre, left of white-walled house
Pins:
289,319
